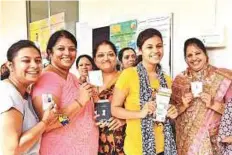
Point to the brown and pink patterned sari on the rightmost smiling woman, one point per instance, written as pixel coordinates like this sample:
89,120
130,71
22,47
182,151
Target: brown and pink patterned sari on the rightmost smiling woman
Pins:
197,126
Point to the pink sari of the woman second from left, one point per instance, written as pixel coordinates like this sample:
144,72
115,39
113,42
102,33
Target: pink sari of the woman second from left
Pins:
80,137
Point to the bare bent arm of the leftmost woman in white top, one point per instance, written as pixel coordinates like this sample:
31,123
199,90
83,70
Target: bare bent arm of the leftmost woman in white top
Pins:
16,142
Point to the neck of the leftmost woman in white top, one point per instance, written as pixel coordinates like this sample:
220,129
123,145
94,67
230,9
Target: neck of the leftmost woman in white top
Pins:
21,88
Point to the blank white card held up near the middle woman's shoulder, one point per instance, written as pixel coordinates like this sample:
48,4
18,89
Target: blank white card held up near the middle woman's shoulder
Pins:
95,78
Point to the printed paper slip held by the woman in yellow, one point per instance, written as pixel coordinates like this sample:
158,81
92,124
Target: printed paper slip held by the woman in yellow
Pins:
162,104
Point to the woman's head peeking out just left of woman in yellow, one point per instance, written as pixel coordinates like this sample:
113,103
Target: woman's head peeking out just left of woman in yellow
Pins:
127,57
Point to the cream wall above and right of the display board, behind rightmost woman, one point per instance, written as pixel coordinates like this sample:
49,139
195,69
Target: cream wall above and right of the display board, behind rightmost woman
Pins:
190,17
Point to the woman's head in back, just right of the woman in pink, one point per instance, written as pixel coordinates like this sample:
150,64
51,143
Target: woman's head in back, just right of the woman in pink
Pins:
84,64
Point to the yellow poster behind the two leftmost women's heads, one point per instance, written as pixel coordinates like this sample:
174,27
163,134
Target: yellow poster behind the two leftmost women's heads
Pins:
41,30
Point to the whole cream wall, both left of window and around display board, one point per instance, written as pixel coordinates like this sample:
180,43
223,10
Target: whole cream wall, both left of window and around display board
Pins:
190,16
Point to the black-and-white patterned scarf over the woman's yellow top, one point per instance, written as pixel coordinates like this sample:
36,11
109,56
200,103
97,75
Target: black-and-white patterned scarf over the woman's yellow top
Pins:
147,124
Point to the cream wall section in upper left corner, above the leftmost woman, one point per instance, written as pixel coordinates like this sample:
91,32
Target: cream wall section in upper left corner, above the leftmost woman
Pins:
13,24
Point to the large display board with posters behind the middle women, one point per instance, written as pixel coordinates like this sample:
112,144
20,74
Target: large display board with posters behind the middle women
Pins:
124,34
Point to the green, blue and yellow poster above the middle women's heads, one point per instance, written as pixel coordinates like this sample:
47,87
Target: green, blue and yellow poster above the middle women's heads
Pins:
123,34
